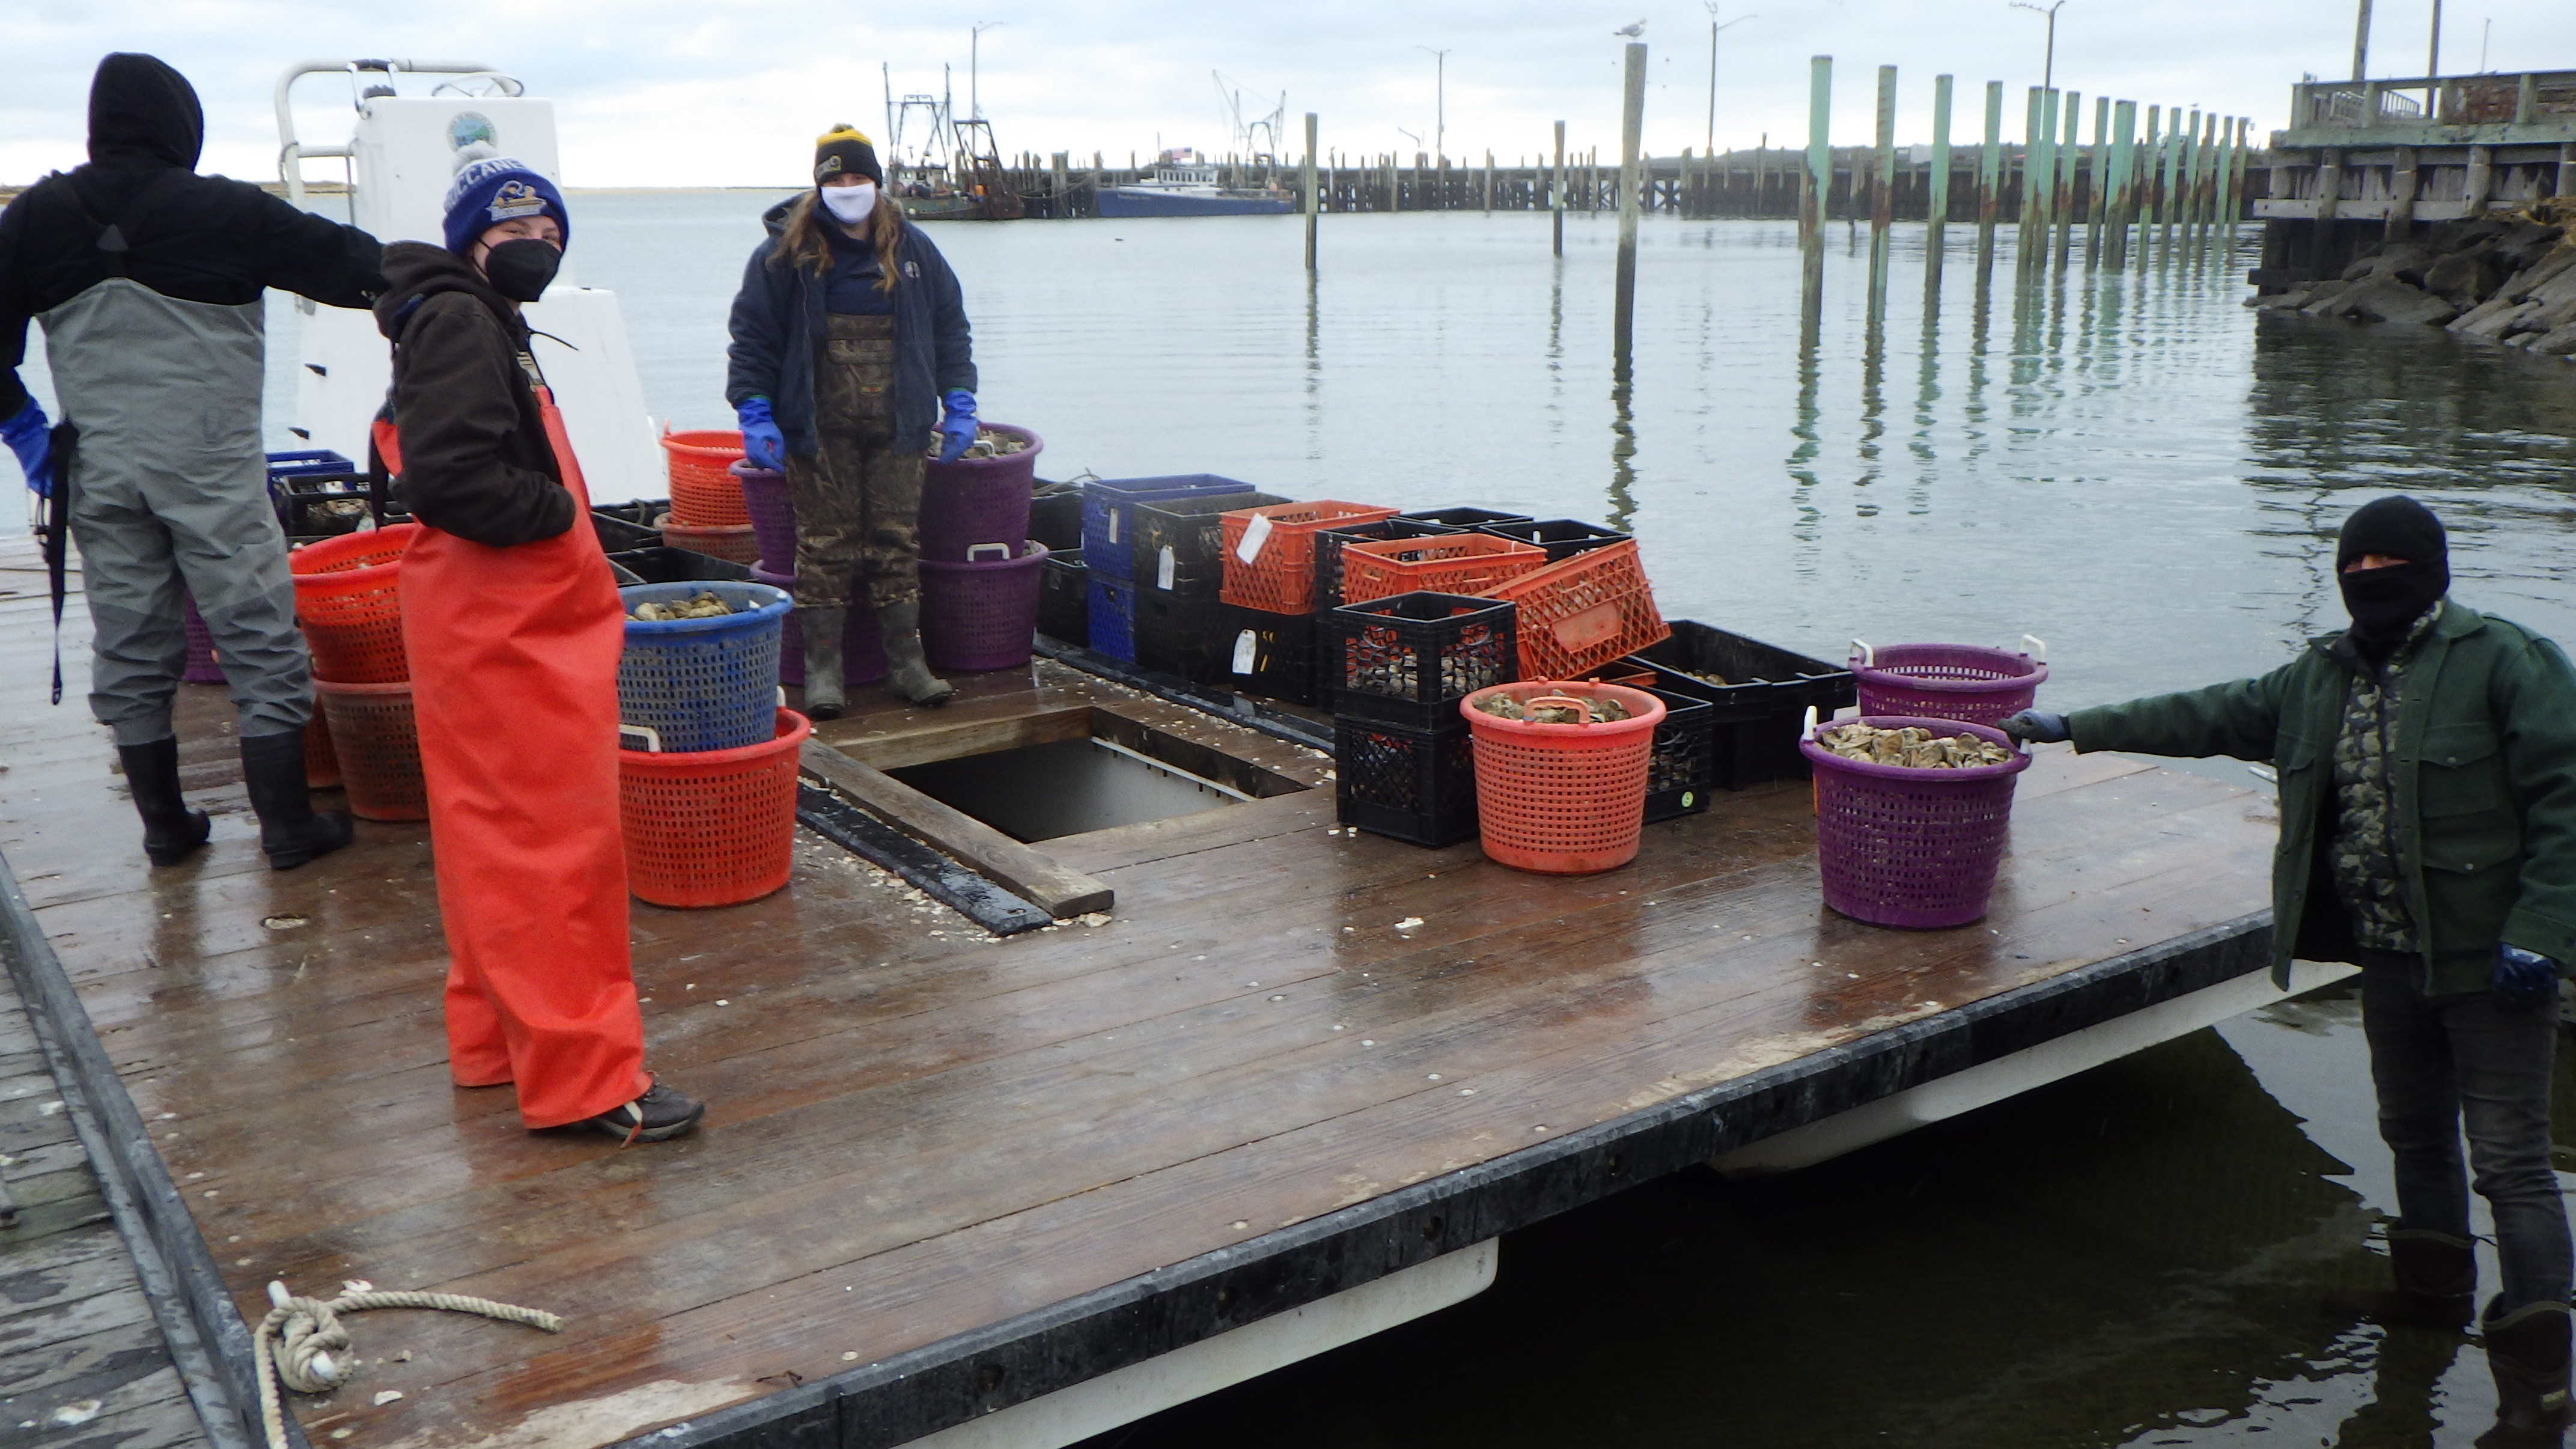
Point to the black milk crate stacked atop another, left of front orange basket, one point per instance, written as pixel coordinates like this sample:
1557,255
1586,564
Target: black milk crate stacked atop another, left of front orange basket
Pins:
1410,659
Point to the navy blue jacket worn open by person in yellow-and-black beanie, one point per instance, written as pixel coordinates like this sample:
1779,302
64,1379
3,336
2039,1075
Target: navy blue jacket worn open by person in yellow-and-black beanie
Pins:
779,324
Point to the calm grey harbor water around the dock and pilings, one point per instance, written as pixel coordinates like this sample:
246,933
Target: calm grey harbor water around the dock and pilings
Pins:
2132,468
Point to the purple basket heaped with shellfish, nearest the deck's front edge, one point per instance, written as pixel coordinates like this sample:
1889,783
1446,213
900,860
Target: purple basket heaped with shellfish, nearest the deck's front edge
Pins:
1905,847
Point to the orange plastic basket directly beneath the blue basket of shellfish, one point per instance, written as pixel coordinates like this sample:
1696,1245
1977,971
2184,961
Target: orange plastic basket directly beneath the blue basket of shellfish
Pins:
712,826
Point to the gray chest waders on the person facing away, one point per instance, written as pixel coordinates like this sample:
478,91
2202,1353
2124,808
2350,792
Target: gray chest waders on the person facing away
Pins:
171,494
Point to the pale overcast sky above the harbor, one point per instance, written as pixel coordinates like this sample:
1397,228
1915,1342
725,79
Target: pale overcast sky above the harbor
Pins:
733,92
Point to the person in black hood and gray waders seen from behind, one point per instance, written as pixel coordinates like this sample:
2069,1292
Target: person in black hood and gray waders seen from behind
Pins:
148,282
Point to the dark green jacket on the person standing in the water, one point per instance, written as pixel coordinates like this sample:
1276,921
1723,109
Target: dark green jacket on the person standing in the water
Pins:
2485,767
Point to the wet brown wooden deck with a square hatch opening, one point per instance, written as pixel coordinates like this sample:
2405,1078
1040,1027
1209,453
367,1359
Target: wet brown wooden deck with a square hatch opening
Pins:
947,1172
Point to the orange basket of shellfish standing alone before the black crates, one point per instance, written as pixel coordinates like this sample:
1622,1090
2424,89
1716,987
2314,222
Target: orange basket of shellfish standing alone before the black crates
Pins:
1562,801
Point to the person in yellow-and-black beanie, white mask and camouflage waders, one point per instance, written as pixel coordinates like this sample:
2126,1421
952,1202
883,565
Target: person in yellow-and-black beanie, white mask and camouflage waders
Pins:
849,347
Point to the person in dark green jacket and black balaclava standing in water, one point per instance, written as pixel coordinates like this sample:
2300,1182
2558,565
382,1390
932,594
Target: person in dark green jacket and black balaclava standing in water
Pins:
2428,834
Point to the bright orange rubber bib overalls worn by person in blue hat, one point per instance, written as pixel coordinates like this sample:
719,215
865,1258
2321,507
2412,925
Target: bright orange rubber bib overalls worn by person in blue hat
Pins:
516,697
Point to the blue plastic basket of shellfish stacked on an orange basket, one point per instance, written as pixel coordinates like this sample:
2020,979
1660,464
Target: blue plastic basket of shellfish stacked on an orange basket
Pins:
705,685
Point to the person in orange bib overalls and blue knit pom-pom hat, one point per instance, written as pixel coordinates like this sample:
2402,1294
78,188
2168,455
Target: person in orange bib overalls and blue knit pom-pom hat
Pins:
514,628
